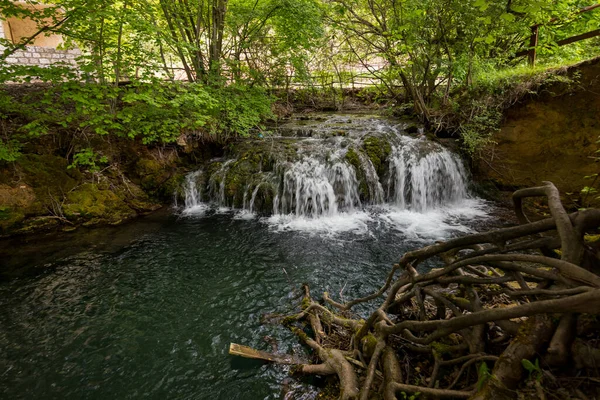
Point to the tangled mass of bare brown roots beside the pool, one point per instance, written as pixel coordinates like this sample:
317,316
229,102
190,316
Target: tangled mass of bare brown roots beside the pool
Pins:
511,313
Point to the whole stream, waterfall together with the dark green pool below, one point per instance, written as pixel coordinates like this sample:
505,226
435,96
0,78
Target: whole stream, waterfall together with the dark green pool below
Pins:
148,309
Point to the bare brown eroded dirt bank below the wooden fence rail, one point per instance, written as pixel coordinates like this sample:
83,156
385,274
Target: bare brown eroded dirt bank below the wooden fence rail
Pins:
550,136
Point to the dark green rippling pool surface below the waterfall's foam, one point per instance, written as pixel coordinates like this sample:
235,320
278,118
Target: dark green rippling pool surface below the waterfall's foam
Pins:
148,310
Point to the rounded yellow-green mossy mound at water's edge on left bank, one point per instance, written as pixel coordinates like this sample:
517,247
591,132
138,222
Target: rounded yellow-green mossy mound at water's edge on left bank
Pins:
96,206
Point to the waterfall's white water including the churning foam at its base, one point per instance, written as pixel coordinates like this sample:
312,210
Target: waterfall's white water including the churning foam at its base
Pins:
422,194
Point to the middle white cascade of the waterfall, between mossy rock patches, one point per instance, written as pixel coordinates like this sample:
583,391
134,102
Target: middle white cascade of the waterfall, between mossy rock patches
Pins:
312,188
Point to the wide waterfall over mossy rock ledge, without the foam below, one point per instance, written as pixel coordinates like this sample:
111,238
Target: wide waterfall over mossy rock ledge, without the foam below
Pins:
333,173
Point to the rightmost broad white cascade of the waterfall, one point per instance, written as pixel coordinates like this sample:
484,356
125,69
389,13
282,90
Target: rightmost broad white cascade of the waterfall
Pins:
422,182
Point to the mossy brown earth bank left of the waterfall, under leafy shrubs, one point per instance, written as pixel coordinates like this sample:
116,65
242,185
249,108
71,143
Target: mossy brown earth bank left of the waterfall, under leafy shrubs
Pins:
41,192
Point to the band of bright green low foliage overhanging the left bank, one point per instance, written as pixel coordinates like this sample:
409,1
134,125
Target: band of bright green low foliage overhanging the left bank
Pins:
152,112
